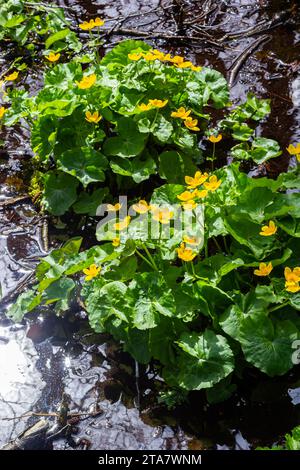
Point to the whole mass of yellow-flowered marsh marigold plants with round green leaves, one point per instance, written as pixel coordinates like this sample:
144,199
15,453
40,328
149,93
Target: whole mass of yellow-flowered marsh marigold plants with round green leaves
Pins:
207,304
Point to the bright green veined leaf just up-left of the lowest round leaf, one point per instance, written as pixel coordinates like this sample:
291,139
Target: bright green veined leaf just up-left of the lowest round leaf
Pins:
151,297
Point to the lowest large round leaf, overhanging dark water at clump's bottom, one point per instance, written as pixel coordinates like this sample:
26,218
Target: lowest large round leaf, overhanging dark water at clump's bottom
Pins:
204,360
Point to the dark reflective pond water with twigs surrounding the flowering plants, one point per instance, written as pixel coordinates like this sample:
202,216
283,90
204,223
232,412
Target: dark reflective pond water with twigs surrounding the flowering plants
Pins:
46,356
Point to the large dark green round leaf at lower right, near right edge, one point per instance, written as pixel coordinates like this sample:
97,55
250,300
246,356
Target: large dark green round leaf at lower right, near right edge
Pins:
267,344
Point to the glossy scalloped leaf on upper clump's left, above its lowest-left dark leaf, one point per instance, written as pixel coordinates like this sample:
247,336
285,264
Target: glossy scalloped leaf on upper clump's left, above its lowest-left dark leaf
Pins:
86,164
